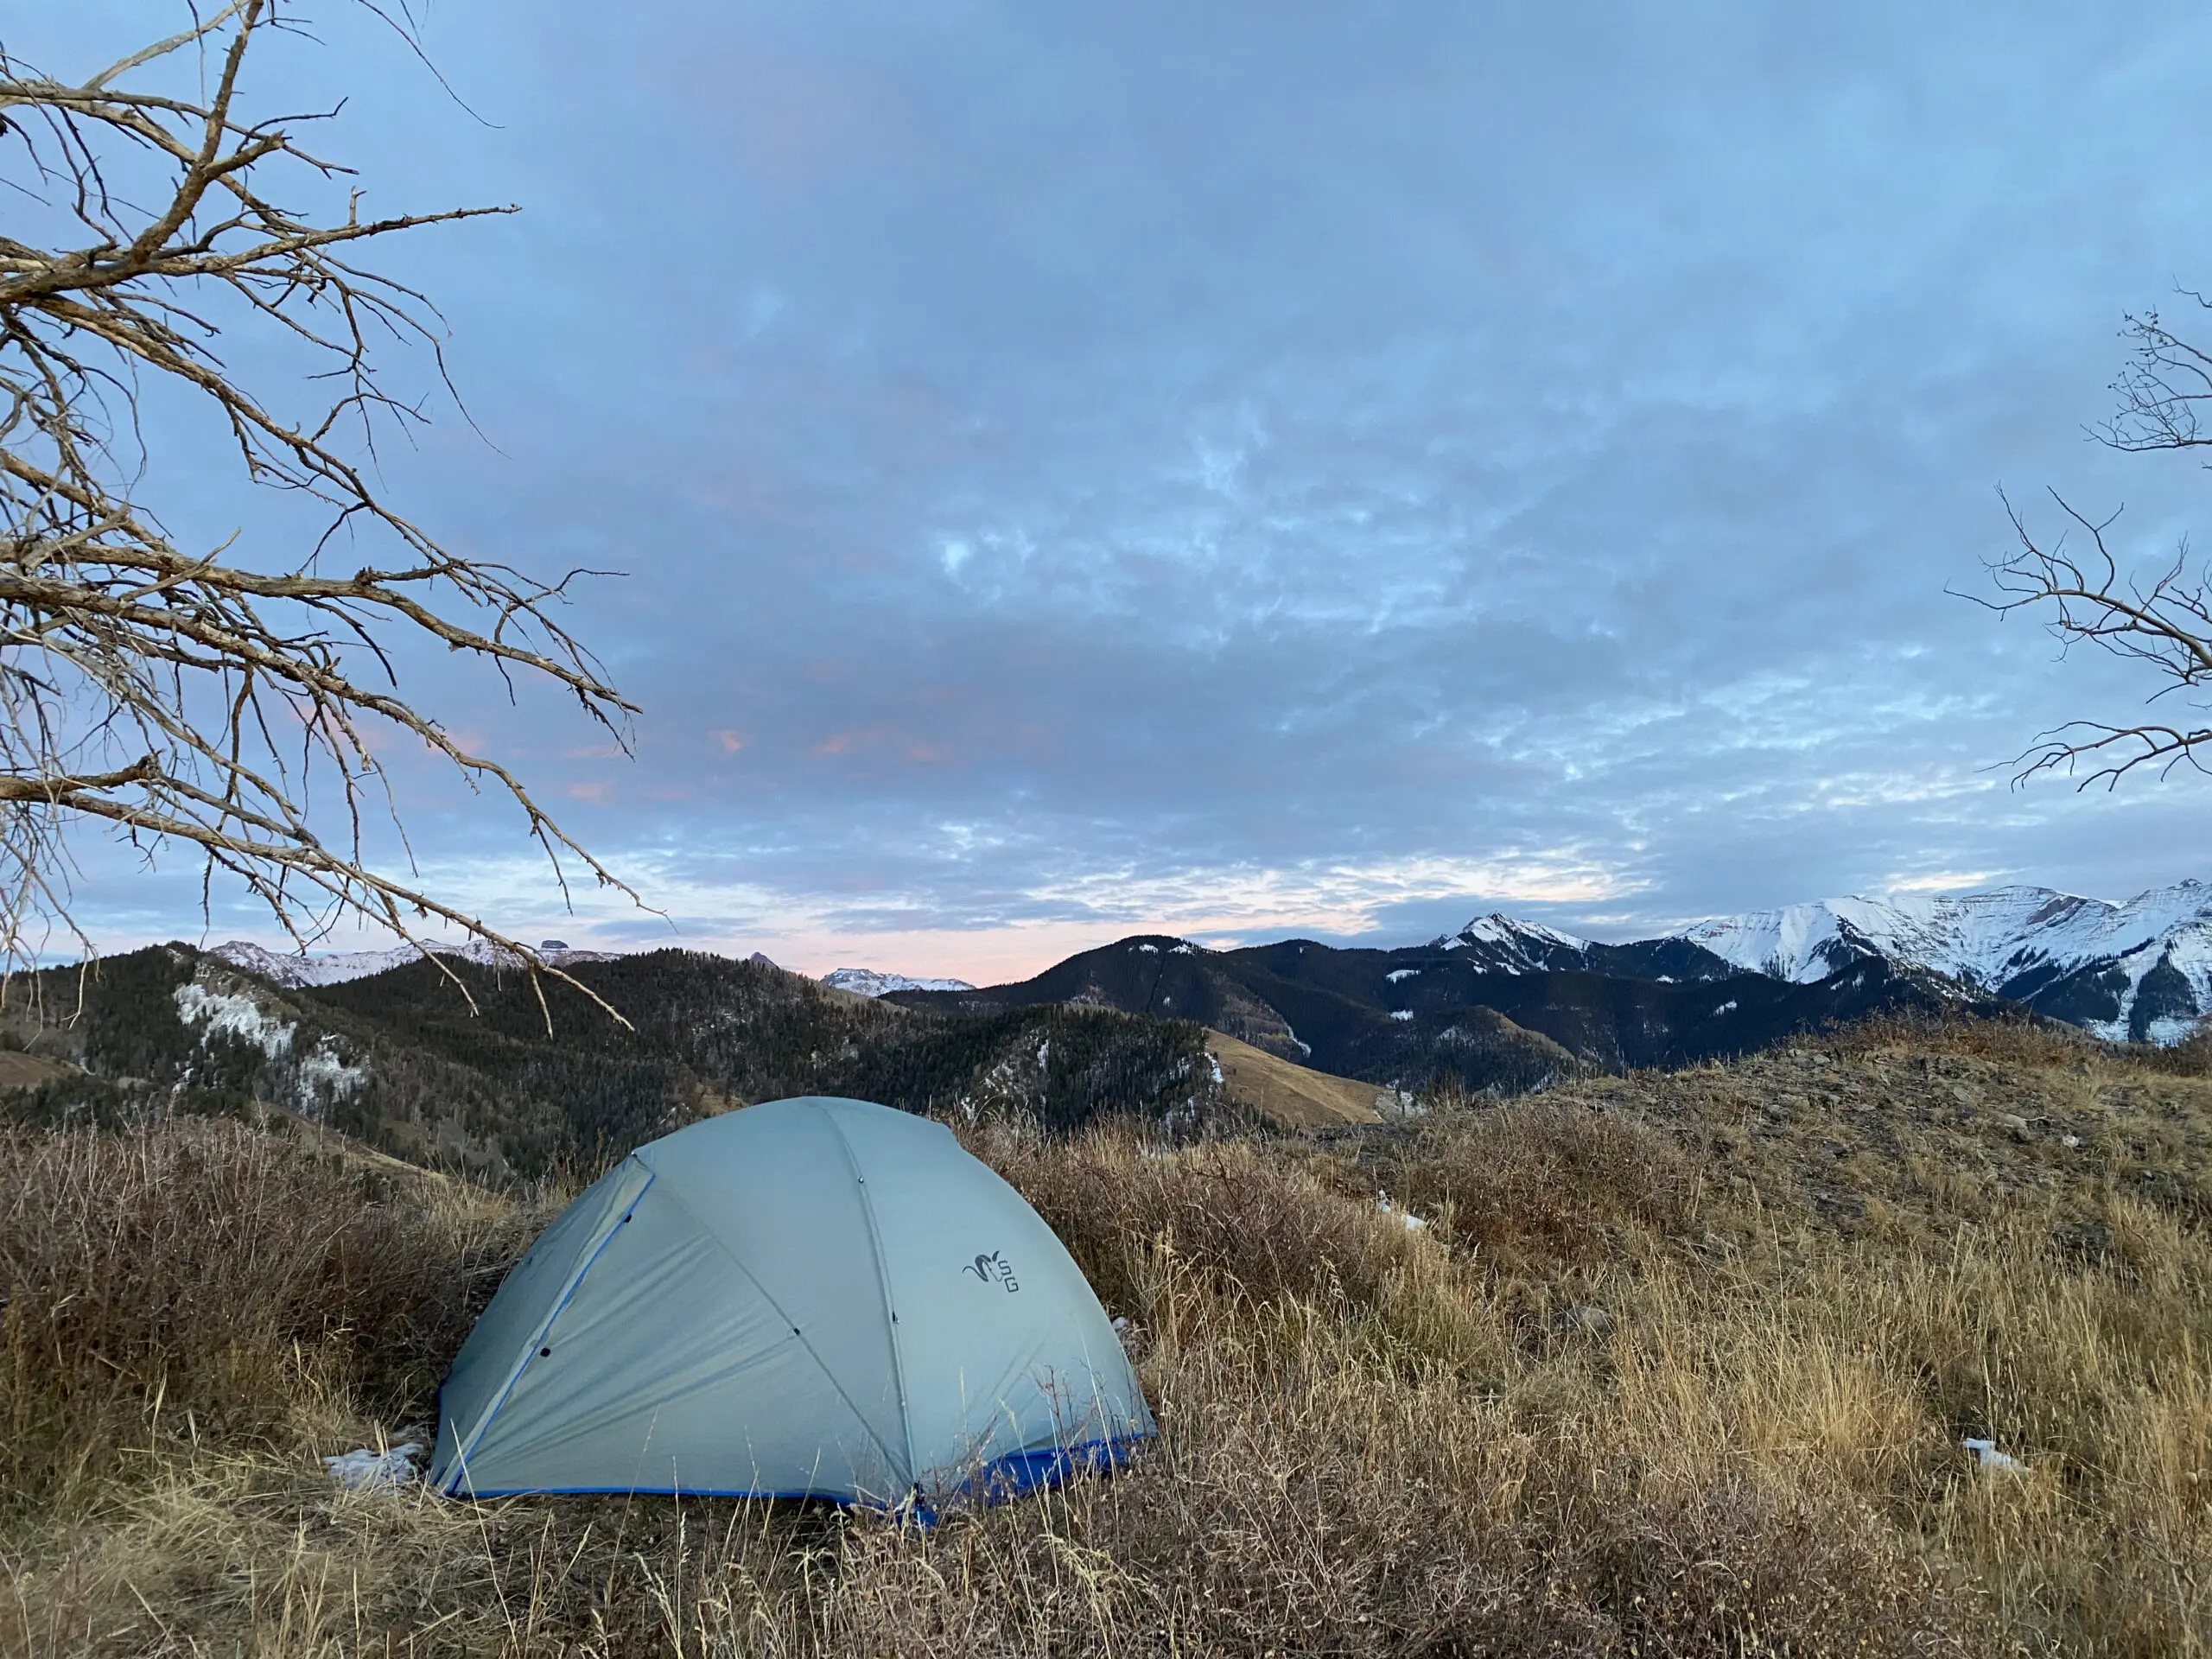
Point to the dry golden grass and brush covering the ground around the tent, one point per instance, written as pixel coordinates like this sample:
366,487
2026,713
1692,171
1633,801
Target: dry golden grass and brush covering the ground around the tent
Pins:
1680,1366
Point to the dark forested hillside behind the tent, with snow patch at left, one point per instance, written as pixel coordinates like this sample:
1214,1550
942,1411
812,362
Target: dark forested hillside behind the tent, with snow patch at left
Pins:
401,1063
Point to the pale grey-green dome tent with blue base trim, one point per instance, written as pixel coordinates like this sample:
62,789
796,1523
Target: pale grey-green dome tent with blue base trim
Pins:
813,1297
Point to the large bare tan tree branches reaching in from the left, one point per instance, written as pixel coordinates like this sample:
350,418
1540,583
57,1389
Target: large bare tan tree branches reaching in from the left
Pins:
236,685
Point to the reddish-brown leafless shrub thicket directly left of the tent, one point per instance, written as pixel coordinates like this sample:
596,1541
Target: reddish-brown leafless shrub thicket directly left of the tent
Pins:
211,1275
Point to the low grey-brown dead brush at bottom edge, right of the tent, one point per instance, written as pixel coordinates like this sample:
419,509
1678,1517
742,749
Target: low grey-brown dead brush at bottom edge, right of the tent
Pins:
1308,1503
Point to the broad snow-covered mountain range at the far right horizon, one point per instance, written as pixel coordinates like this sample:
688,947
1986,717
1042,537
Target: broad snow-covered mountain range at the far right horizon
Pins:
2138,970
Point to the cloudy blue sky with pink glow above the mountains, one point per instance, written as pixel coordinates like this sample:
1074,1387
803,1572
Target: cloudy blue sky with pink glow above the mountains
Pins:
1255,470
